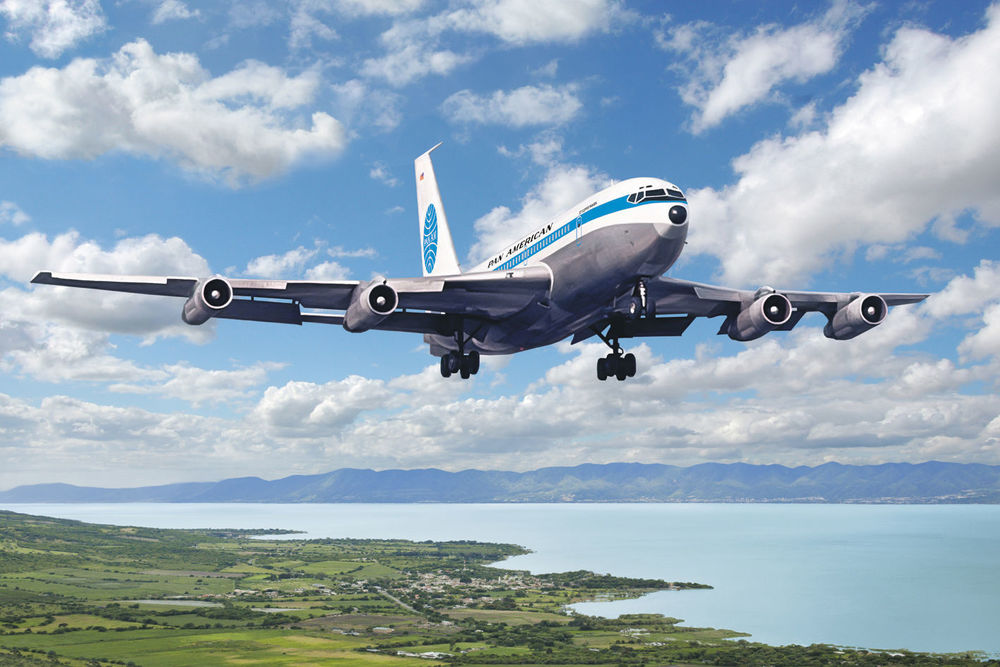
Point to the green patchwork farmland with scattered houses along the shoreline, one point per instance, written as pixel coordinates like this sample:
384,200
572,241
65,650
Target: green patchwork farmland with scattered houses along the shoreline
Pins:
83,594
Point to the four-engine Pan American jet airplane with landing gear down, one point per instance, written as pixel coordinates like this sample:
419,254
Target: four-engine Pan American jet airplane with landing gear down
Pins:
595,270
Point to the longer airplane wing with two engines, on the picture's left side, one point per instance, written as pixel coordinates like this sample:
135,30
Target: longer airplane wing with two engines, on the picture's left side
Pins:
378,304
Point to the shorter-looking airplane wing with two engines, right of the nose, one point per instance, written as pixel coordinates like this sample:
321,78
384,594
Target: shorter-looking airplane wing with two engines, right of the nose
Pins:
752,313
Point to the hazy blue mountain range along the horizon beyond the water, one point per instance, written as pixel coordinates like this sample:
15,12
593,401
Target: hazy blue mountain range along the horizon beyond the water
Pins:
932,482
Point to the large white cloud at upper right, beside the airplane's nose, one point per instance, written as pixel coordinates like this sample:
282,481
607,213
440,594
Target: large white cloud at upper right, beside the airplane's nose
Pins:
916,144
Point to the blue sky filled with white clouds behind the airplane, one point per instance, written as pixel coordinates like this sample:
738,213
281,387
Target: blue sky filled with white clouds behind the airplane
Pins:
848,146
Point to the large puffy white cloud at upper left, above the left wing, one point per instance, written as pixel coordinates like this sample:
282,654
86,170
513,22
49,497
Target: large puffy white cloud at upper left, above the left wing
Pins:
244,124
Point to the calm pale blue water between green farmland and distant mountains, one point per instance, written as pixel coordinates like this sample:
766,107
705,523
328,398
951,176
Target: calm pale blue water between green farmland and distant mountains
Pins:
917,577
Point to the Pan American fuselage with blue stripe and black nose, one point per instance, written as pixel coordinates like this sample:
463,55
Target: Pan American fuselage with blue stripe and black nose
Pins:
595,253
